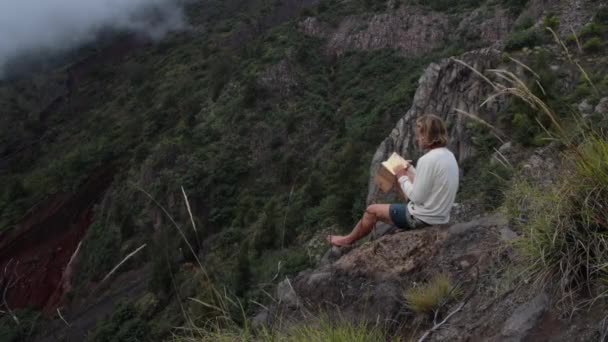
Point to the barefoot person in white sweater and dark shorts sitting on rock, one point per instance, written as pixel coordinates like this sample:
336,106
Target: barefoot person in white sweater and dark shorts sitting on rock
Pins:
431,188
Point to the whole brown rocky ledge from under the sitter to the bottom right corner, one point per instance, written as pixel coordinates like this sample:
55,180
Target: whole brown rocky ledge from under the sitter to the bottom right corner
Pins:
367,284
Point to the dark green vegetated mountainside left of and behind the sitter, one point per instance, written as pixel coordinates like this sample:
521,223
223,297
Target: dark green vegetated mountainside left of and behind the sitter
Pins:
257,159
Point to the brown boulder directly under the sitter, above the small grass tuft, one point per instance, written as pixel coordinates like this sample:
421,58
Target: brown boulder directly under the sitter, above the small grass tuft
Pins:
366,283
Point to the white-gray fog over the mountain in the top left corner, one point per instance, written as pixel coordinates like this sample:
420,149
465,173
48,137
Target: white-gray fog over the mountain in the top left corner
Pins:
39,27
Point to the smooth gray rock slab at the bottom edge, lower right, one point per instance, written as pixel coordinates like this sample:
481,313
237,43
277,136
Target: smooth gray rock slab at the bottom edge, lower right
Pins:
524,319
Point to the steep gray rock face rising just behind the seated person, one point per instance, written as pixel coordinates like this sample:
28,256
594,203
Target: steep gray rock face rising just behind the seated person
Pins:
443,88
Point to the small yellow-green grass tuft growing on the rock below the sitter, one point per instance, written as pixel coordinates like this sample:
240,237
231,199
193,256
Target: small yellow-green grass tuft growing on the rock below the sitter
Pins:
429,297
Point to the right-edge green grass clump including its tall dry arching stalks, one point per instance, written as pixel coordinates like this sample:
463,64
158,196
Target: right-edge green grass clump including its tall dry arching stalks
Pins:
562,219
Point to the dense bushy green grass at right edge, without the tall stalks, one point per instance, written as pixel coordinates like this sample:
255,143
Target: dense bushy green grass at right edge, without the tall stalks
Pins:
566,225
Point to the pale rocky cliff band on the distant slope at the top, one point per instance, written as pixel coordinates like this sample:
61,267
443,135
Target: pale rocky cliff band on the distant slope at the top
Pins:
414,31
